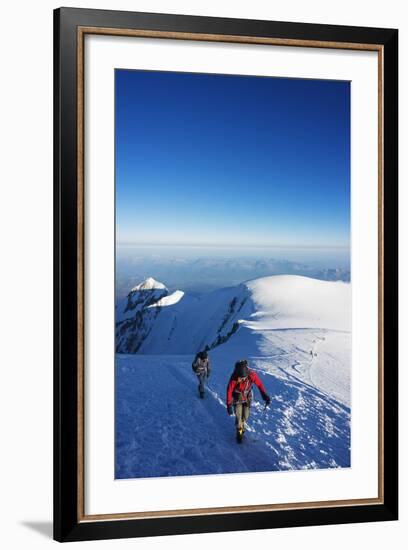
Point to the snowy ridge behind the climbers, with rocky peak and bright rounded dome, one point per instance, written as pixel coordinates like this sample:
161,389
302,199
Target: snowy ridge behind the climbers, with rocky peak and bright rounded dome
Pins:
150,320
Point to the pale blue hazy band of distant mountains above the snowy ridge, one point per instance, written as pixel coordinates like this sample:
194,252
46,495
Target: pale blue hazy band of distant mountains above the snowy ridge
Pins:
203,269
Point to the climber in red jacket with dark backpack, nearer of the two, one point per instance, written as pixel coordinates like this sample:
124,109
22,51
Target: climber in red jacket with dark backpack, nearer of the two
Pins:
239,394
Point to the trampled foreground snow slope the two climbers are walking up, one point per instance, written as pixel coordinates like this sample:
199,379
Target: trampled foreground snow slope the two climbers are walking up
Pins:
164,429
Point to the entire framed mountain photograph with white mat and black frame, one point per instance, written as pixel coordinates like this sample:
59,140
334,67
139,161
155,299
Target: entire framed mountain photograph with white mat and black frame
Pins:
225,274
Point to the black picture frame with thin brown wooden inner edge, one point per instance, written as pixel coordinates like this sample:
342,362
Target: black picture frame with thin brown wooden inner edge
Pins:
70,27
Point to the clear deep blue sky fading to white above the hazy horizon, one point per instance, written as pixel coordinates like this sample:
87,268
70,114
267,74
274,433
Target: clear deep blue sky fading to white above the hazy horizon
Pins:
231,160
